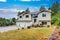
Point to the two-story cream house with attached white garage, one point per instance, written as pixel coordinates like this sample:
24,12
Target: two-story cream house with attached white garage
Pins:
40,18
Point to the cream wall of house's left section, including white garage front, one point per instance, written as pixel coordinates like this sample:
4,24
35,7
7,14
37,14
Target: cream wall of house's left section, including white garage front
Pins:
24,22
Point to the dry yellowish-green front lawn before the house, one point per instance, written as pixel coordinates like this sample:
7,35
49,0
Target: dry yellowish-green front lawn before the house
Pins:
27,34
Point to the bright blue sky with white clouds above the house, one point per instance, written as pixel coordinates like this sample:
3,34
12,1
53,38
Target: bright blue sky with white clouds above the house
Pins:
10,8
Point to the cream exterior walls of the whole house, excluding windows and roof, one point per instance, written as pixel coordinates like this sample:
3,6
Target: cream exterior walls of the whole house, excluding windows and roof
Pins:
29,21
